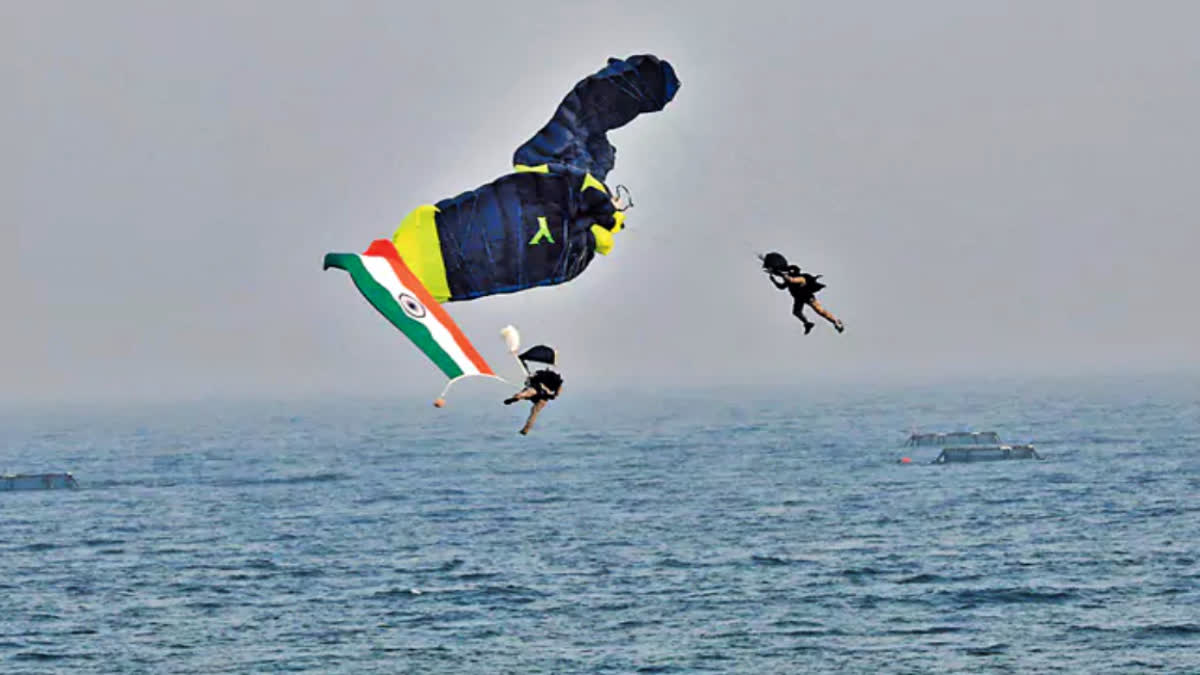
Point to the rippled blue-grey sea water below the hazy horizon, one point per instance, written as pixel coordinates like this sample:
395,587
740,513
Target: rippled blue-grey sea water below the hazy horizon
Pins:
693,533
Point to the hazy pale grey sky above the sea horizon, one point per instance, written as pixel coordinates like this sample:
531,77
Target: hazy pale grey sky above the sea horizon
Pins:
987,187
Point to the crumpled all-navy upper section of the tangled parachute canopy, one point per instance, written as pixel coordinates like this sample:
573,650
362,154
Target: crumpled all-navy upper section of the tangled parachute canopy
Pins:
601,103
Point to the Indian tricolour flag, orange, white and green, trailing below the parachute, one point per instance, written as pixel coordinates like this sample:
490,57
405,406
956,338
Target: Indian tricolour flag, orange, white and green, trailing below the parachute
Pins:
387,283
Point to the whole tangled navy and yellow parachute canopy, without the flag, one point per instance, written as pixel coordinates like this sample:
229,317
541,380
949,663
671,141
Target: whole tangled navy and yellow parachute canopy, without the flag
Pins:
543,224
